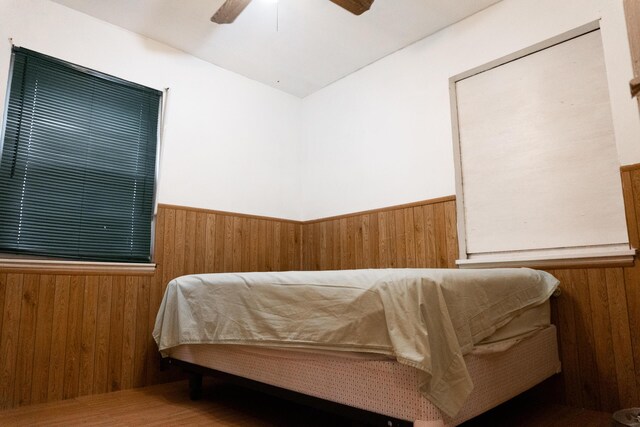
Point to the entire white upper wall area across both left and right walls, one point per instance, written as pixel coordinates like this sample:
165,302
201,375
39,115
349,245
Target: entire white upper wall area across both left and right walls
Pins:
379,137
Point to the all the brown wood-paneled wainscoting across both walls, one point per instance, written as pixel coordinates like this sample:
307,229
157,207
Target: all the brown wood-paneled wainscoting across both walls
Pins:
66,334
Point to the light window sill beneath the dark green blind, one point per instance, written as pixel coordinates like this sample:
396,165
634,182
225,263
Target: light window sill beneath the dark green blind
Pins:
74,267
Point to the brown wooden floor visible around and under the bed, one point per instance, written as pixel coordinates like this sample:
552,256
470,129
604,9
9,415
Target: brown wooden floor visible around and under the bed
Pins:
225,405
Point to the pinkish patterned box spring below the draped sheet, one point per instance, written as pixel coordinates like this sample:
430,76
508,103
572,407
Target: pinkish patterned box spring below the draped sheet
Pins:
385,386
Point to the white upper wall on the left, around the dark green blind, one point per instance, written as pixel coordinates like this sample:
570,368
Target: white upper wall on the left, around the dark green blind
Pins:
230,143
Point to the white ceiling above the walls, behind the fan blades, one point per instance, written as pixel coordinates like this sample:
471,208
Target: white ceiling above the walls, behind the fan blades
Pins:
298,46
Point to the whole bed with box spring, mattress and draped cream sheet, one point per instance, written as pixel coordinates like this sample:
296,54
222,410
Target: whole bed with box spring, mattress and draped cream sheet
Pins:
428,346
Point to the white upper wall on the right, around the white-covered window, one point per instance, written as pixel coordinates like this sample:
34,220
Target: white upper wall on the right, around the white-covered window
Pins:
382,136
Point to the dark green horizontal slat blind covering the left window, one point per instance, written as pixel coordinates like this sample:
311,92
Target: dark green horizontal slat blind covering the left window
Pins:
77,171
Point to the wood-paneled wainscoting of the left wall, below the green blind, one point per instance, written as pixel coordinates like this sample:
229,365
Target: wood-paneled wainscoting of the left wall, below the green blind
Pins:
68,334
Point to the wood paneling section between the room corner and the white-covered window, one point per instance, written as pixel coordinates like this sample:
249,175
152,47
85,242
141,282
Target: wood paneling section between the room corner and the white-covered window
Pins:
421,234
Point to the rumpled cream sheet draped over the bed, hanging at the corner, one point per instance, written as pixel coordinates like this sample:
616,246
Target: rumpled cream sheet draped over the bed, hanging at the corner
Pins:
424,318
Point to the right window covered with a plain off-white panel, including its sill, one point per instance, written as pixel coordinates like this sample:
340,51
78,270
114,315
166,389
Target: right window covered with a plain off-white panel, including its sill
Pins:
538,171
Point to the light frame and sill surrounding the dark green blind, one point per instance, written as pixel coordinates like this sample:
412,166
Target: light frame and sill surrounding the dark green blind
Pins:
21,262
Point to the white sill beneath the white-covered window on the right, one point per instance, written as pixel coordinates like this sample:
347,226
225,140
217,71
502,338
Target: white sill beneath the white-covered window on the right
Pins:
619,258
